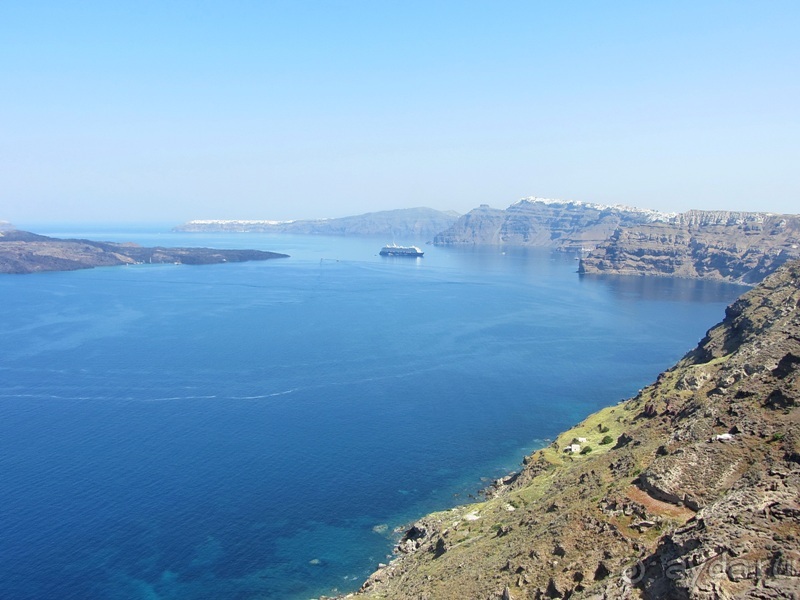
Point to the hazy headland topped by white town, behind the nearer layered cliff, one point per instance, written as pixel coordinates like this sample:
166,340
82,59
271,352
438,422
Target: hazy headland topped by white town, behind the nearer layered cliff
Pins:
566,225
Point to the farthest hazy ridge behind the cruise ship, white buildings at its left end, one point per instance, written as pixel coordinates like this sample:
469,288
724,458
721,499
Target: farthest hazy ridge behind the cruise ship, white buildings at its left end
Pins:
406,224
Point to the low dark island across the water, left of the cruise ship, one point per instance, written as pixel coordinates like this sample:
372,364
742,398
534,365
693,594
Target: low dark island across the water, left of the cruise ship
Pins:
25,252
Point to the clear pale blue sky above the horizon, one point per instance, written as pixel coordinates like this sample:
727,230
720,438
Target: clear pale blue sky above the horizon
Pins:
168,111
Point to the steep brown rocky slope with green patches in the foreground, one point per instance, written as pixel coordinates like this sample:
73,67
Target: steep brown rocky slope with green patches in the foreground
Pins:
688,490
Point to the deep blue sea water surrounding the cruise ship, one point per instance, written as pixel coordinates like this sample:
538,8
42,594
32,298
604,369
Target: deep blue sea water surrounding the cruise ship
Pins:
243,431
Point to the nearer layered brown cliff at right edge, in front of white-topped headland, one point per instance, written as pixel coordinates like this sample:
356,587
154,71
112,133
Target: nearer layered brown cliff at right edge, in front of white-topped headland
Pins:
730,246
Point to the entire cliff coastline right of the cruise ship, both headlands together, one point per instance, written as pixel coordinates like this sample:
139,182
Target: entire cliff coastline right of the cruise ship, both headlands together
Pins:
740,247
